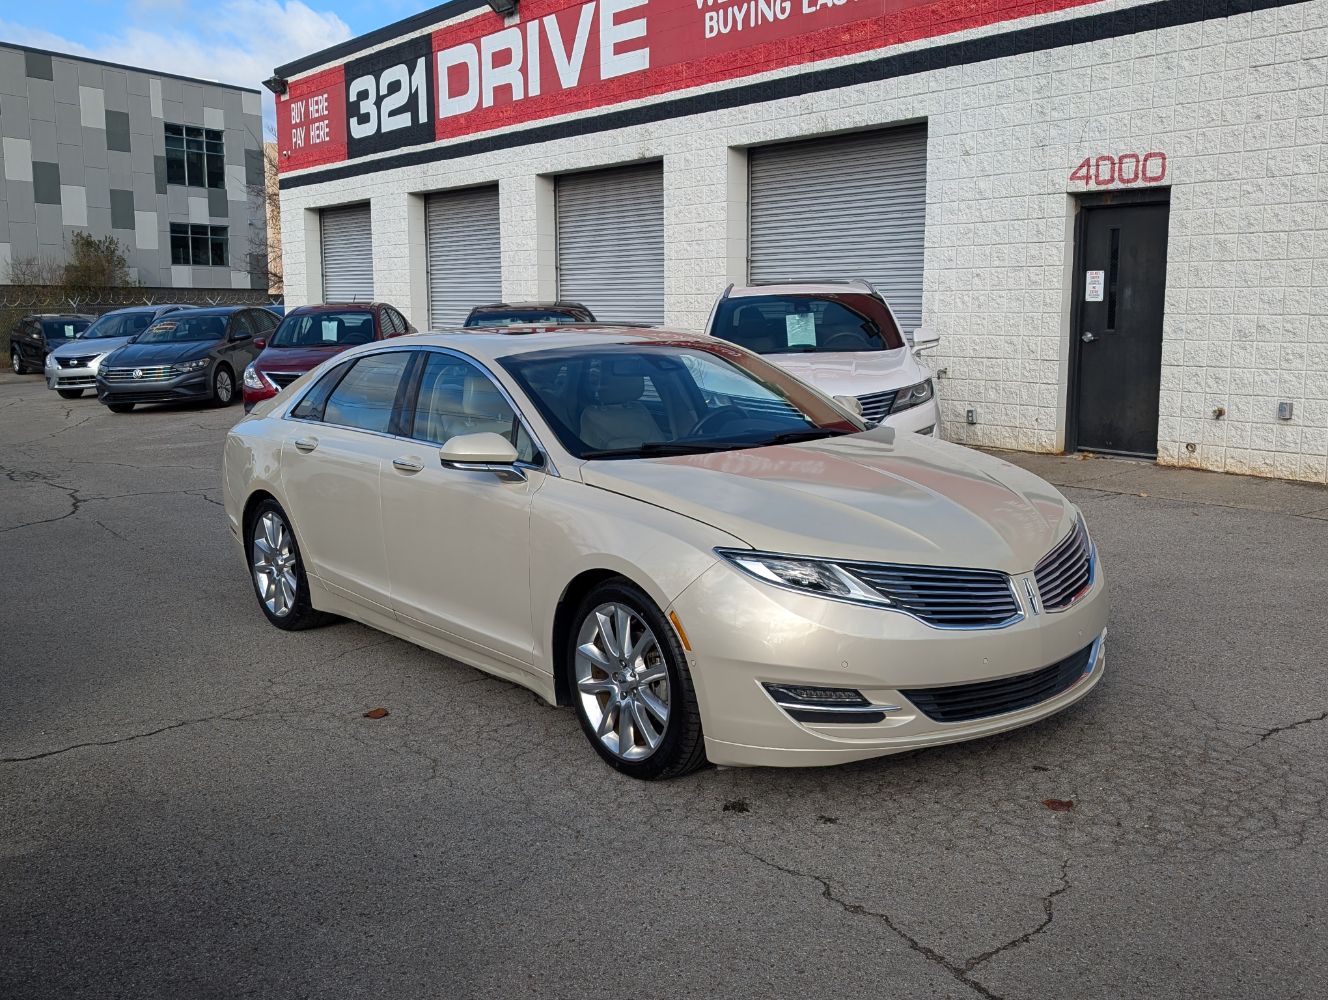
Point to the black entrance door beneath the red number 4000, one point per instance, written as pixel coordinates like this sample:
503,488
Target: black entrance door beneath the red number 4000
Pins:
1119,299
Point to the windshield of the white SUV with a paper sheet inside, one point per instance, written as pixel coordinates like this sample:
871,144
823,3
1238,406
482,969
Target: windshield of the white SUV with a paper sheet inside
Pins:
795,325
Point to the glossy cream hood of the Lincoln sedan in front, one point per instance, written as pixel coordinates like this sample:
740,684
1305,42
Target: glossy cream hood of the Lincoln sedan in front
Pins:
865,497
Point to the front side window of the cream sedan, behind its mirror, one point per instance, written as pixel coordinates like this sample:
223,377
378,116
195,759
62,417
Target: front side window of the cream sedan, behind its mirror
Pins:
457,398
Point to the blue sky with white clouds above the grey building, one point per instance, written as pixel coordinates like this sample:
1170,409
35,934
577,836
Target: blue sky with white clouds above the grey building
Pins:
236,42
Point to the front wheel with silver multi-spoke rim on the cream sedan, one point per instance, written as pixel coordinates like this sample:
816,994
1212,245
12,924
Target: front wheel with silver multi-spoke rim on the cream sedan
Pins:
635,702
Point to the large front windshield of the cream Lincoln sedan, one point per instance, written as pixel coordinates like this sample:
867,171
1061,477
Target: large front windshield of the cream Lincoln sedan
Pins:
659,398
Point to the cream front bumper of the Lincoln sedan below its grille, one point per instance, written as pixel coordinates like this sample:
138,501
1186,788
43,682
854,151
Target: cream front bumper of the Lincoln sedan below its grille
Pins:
746,635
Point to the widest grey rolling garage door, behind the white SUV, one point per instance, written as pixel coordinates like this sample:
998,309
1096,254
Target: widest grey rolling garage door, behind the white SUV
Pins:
849,207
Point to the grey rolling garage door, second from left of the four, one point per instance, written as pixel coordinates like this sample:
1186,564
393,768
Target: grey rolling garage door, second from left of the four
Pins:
465,254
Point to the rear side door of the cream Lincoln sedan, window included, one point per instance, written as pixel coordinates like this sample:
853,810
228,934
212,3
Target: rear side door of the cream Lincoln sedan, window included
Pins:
333,460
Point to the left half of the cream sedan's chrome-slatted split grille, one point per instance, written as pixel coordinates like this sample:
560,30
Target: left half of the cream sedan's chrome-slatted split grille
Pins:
944,597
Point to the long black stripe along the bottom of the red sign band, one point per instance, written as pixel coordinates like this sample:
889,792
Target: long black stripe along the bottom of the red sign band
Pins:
1038,38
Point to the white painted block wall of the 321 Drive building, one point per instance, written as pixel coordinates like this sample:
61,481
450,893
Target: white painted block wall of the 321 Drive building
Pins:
1238,106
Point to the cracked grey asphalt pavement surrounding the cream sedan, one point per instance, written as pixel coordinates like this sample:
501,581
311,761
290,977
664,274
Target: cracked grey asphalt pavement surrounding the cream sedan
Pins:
193,804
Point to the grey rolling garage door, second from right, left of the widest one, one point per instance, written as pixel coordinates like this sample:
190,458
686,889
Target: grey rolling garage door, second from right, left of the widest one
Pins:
612,242
